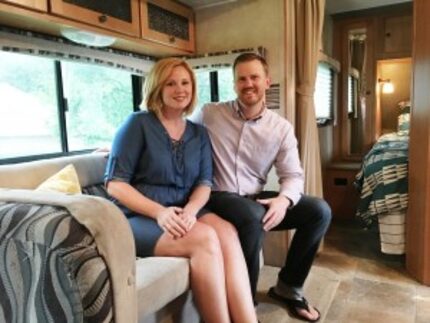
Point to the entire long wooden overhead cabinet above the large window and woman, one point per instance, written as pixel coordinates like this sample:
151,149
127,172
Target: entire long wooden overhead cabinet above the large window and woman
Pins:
168,27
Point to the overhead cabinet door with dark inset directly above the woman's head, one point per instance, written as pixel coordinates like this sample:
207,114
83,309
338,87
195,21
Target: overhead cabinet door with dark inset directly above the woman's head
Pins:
169,23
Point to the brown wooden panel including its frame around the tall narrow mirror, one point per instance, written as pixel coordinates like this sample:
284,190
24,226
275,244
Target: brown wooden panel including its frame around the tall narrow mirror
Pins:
355,112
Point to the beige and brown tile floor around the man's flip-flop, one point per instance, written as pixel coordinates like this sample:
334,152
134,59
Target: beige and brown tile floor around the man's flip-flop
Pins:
352,281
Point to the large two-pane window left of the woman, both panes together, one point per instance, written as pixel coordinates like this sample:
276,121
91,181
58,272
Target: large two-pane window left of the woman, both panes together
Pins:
54,107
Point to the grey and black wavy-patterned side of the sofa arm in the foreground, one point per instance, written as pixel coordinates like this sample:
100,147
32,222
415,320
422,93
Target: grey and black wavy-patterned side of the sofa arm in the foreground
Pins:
50,267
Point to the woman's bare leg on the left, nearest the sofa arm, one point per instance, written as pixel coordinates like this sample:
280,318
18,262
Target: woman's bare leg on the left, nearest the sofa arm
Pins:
202,247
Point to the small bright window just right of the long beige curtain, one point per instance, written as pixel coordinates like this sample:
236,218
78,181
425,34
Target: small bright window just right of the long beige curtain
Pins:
324,93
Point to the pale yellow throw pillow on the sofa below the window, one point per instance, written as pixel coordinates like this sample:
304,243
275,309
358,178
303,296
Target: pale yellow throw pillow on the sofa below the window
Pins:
65,181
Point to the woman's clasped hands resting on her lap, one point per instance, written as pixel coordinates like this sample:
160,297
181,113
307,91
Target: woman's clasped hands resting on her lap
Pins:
176,221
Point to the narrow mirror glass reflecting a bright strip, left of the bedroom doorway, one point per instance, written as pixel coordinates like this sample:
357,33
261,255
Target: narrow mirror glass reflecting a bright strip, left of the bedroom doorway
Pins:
356,90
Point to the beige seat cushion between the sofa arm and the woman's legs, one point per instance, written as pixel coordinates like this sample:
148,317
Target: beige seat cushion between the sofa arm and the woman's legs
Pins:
158,281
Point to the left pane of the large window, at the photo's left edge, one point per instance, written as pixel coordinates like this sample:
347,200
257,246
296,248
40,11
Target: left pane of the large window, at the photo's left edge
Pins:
28,109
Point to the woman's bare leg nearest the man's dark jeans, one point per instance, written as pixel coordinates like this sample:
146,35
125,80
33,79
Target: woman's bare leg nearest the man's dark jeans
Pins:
239,294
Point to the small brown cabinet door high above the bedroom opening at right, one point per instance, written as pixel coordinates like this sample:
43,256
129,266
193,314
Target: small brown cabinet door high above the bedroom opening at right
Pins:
398,35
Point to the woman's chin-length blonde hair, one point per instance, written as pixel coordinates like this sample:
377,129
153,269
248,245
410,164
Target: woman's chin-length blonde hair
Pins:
156,80
